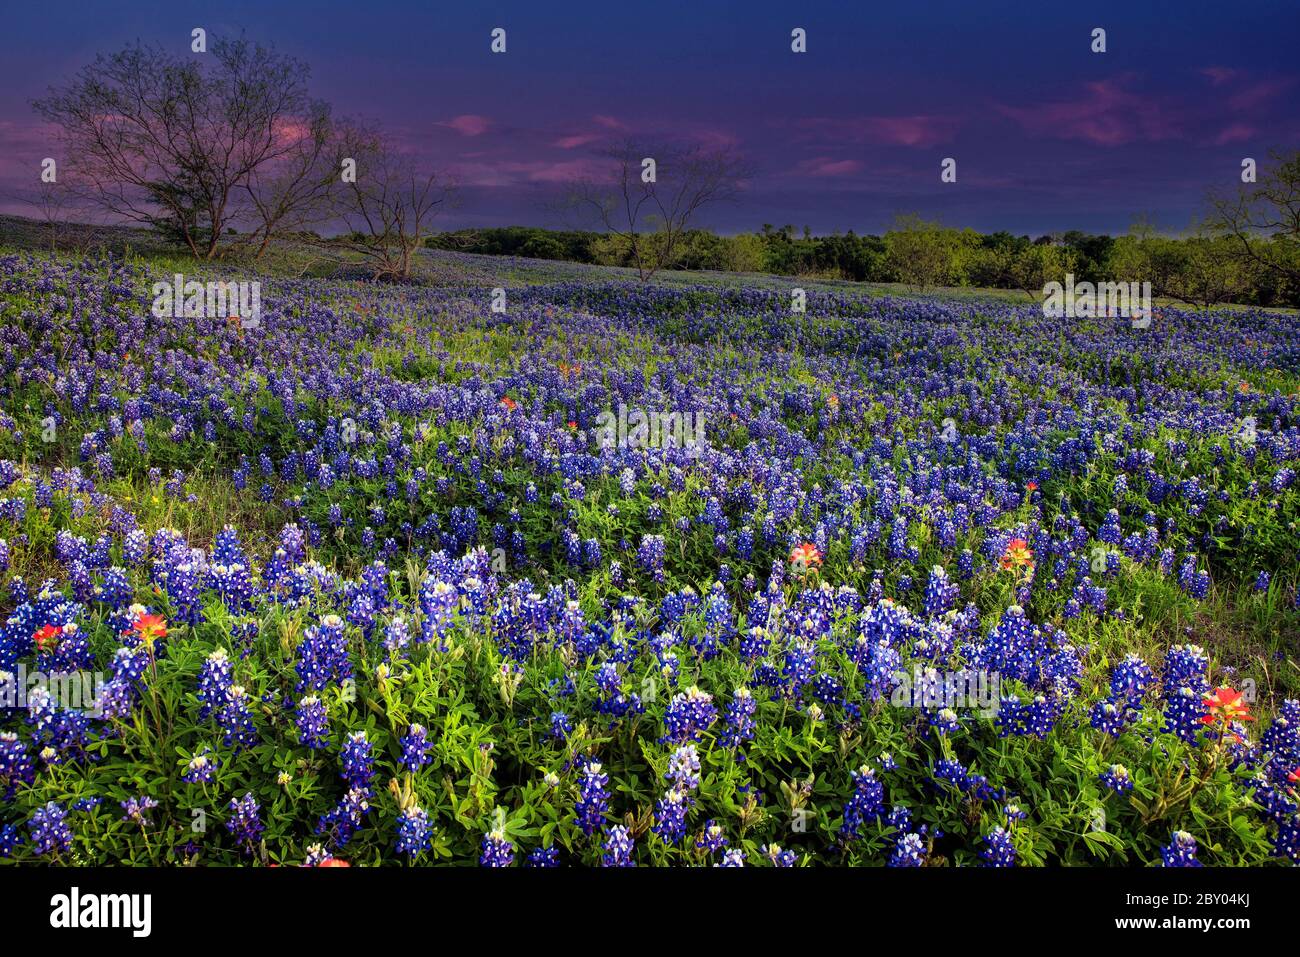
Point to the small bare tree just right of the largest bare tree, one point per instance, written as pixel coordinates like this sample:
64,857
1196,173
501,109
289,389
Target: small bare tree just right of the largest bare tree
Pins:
389,205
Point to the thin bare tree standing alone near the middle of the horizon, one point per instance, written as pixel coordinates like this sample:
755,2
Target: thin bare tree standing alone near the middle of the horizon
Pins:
655,194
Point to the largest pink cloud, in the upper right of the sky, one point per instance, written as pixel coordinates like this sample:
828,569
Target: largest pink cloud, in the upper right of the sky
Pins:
1104,115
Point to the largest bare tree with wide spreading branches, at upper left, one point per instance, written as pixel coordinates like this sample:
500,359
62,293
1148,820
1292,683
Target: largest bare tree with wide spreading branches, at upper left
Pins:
176,145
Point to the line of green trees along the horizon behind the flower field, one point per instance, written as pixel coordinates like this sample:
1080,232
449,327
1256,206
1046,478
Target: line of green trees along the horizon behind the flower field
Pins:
1245,250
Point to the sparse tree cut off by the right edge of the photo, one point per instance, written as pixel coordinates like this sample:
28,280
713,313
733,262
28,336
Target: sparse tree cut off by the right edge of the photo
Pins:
1264,218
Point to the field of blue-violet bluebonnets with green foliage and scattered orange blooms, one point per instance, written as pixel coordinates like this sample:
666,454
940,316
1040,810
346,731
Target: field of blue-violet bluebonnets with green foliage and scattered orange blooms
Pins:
367,586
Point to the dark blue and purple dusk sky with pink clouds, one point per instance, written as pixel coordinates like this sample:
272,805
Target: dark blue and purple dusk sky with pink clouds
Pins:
1047,135
